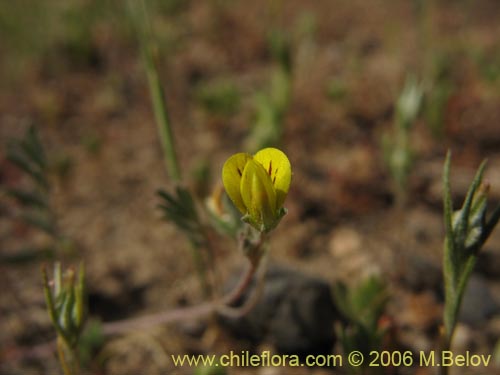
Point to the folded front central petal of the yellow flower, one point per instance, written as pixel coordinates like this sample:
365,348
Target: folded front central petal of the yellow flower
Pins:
258,194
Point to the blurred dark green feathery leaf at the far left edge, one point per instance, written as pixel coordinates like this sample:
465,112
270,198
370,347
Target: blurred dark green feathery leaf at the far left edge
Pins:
29,156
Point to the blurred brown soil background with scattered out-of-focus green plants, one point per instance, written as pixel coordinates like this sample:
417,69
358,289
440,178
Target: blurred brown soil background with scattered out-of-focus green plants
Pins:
365,97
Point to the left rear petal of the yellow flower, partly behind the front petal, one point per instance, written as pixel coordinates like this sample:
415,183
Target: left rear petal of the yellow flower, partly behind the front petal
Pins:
232,172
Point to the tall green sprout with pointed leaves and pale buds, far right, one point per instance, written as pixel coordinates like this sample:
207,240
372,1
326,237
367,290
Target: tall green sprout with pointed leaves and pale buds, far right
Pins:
467,229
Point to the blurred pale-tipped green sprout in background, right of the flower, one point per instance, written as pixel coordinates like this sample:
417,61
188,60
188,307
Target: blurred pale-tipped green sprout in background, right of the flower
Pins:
398,152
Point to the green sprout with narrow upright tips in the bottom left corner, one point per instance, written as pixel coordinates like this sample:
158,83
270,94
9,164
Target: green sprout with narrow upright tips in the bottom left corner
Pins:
65,299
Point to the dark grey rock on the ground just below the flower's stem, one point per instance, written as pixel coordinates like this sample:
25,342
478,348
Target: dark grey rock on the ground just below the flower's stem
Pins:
296,314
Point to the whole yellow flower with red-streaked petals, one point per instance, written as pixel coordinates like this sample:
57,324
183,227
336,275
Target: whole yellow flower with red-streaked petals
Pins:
258,186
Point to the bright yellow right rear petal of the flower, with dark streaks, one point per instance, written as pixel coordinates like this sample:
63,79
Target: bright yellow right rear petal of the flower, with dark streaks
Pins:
278,167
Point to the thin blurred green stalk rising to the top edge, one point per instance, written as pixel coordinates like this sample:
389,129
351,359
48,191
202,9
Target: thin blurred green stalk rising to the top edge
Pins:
144,31
